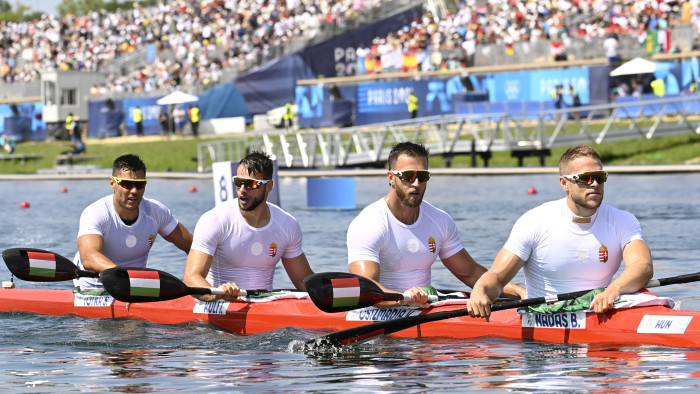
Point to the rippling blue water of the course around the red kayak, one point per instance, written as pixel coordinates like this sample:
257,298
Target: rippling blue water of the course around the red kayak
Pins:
58,354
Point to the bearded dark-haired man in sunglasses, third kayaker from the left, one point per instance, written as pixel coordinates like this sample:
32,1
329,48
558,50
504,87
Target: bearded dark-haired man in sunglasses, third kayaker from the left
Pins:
395,240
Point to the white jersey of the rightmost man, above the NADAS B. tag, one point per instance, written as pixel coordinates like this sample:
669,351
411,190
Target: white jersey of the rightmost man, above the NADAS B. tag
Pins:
562,256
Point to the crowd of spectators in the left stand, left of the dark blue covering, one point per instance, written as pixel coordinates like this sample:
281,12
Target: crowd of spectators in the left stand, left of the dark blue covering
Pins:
195,40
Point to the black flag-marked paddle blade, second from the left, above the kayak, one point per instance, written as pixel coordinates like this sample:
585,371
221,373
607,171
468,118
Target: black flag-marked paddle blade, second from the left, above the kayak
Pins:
142,284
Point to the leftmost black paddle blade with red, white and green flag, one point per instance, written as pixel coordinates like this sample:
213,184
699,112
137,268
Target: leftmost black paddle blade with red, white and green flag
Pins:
37,265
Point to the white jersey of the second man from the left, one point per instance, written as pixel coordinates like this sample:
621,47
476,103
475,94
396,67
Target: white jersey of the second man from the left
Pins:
243,254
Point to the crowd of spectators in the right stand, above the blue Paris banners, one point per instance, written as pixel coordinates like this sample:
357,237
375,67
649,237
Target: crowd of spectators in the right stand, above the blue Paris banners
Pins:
452,42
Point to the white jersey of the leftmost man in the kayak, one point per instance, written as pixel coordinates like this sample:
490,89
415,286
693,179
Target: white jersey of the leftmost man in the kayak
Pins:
126,246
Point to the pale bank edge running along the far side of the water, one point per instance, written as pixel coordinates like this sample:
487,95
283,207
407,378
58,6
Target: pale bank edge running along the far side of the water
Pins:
301,173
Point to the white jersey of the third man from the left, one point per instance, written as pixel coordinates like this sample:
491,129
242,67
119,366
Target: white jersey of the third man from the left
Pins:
404,252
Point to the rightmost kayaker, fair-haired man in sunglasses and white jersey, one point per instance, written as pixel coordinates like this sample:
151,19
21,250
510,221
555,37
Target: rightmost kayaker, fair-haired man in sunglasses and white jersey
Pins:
571,244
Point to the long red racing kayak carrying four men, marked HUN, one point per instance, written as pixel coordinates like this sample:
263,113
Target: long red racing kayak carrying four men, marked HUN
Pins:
652,323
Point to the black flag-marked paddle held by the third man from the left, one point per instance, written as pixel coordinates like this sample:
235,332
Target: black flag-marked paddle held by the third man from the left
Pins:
342,291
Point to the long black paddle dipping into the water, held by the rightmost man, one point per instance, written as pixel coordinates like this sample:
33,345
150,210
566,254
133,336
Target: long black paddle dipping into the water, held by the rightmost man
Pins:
370,331
